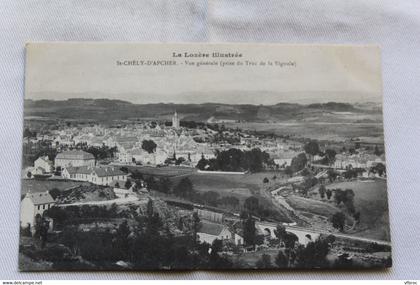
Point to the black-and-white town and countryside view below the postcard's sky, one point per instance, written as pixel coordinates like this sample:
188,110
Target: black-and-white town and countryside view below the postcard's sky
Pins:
112,185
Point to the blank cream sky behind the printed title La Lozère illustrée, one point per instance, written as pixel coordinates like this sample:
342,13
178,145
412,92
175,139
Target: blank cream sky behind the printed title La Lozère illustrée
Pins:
313,73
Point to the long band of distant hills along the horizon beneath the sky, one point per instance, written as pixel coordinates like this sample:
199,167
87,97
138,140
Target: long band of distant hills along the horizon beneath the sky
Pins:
107,109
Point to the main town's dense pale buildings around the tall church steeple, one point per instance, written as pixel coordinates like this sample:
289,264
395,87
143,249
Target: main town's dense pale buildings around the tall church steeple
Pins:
172,142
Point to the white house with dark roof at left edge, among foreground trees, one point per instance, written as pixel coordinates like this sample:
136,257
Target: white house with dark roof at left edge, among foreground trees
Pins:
34,204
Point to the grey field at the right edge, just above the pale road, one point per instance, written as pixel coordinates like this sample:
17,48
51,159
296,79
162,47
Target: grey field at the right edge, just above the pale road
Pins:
372,202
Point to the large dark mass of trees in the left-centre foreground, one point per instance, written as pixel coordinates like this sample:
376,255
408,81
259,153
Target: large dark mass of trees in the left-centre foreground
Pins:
146,243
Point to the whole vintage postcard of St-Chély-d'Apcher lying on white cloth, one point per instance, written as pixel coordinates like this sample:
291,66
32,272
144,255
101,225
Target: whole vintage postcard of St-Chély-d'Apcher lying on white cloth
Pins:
203,156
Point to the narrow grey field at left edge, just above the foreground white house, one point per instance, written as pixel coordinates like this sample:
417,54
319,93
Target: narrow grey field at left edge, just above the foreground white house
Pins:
46,185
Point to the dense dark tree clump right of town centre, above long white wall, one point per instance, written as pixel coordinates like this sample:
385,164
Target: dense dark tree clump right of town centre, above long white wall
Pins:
234,159
